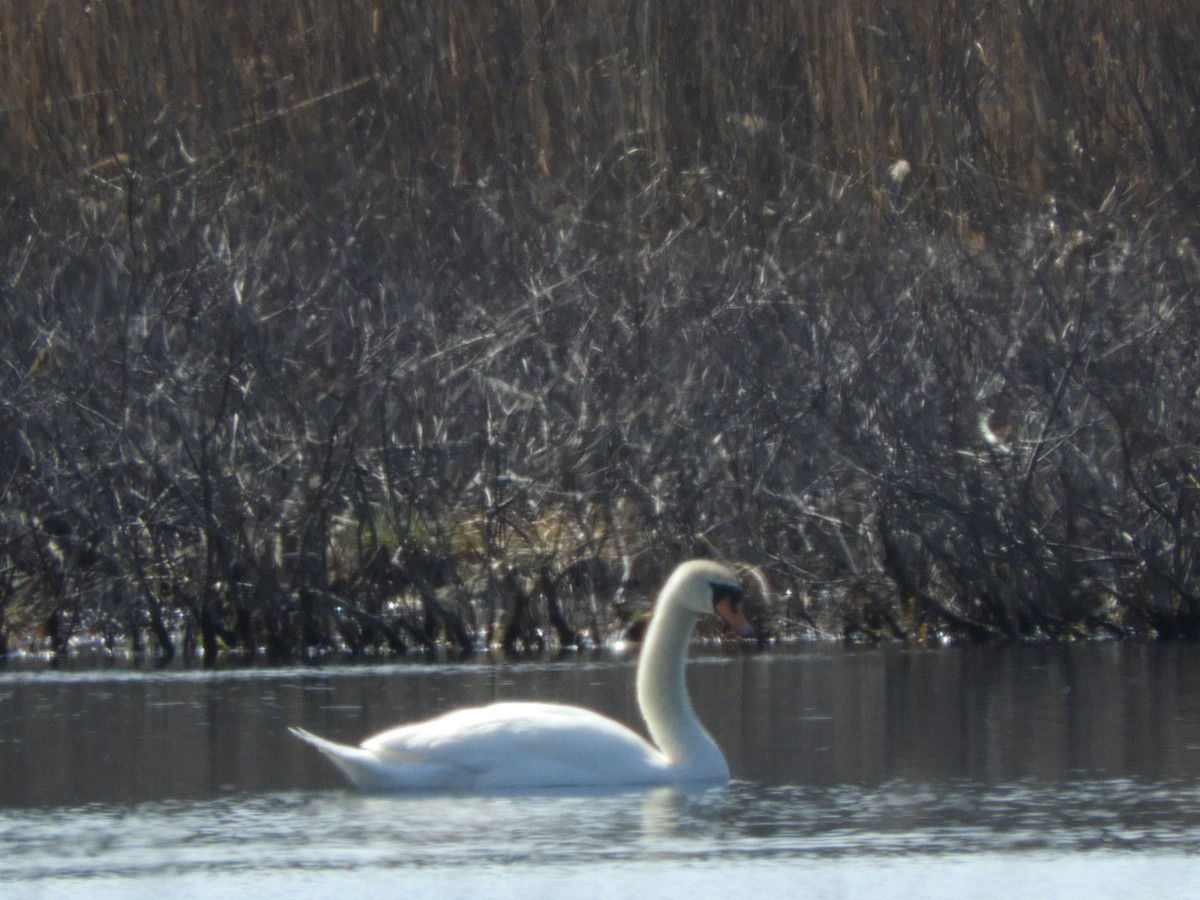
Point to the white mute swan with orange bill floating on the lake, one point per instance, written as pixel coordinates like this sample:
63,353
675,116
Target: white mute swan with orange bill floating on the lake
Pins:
530,746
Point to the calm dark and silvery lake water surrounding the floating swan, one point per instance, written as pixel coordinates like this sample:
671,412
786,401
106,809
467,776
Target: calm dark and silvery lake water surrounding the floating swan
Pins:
973,772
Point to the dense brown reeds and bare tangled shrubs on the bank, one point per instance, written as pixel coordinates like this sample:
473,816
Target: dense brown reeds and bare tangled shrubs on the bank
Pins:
362,326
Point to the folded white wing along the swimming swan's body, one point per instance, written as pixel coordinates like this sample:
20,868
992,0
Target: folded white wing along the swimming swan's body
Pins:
524,746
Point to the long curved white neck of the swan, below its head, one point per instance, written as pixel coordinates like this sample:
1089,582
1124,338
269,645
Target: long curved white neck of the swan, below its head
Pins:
663,694
